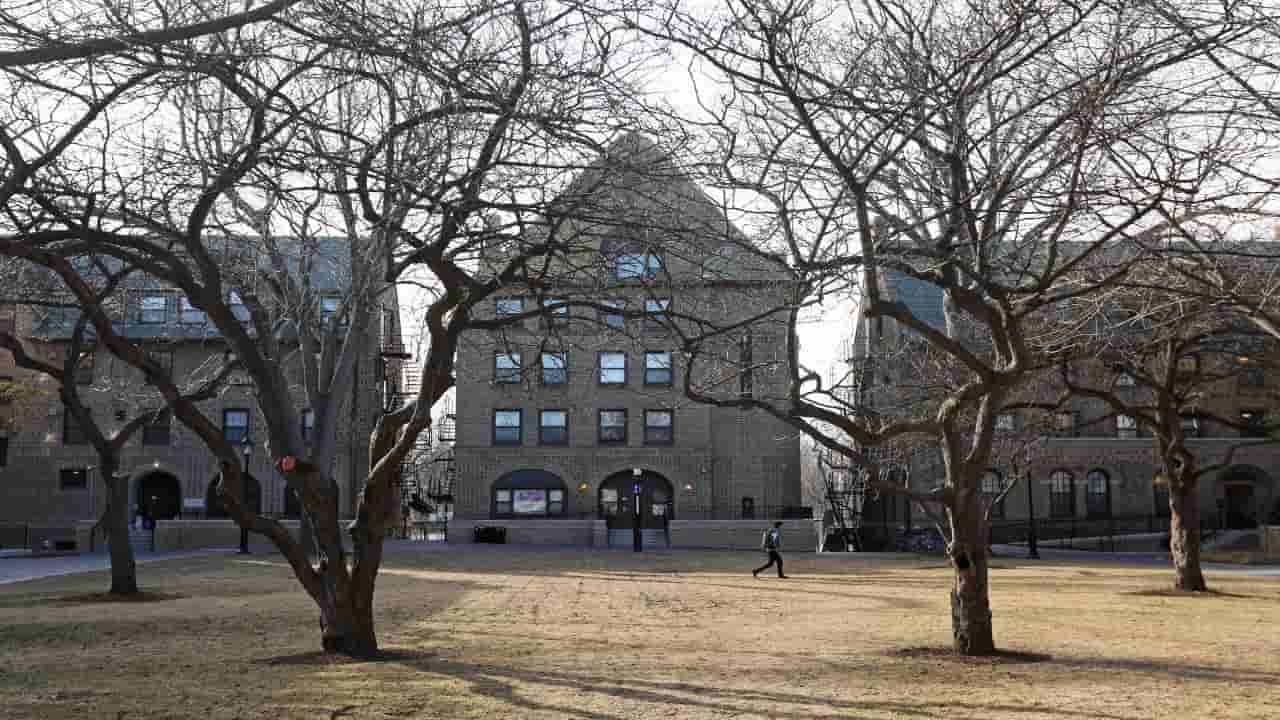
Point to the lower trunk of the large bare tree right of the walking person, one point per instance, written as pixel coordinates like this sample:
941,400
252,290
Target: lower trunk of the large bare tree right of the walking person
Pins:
971,603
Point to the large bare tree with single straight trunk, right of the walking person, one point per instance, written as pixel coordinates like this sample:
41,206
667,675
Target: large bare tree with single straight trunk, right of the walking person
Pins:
957,165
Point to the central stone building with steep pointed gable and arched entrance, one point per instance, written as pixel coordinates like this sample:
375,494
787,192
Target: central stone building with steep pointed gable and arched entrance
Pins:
569,414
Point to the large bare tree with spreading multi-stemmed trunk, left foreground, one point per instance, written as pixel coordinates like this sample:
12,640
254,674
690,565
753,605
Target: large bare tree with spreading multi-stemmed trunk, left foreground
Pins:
399,140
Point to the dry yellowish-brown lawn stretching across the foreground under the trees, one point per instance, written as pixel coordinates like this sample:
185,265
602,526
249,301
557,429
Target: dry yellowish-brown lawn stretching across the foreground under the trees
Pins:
523,634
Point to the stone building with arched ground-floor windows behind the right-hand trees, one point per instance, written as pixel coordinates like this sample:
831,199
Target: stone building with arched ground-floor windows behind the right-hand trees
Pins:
1090,472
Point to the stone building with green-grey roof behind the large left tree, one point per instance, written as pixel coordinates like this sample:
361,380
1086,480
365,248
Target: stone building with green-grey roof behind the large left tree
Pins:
48,470
